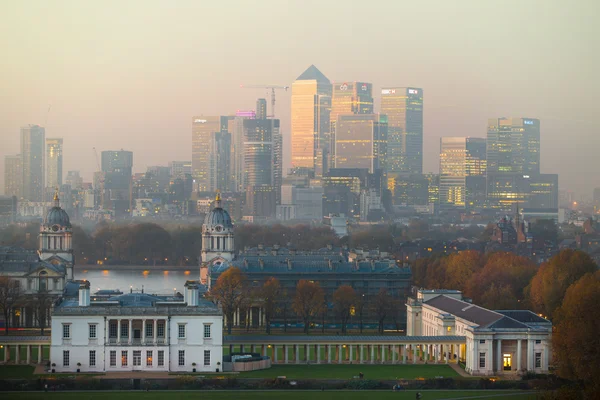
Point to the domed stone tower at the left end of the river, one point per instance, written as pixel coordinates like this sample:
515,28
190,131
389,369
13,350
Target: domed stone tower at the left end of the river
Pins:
56,235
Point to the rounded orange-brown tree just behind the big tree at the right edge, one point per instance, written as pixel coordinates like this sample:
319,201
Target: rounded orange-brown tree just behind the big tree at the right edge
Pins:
549,285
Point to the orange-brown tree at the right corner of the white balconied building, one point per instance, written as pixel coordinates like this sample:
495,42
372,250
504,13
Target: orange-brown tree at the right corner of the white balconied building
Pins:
230,291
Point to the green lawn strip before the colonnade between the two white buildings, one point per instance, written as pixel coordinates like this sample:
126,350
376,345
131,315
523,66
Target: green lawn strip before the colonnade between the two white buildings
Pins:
347,371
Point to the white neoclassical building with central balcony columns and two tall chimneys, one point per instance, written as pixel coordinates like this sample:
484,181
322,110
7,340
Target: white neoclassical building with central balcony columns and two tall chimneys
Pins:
135,331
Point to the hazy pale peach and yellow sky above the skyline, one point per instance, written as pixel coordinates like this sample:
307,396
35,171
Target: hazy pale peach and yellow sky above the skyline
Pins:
131,74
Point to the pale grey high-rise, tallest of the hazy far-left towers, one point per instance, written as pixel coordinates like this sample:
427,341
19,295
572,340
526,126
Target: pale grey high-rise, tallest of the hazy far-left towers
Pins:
33,143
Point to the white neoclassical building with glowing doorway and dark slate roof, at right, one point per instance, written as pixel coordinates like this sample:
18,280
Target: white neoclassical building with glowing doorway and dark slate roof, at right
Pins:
497,342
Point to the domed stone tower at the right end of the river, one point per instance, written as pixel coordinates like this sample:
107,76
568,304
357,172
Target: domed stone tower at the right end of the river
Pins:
217,240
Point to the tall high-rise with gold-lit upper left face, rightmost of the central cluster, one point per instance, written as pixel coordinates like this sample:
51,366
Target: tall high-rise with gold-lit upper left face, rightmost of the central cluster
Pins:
404,108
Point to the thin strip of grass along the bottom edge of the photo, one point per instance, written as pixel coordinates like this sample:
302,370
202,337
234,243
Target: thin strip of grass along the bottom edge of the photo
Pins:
289,395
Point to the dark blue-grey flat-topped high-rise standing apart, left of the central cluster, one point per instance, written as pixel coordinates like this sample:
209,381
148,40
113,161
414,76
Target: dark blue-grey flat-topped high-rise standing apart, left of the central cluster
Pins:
117,169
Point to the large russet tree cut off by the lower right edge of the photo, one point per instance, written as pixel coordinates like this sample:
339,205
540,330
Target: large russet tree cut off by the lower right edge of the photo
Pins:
576,343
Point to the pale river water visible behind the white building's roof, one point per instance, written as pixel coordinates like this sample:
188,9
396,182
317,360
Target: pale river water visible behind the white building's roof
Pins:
159,280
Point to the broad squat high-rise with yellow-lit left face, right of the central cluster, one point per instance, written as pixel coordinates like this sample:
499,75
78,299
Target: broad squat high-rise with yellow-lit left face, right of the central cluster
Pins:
460,159
